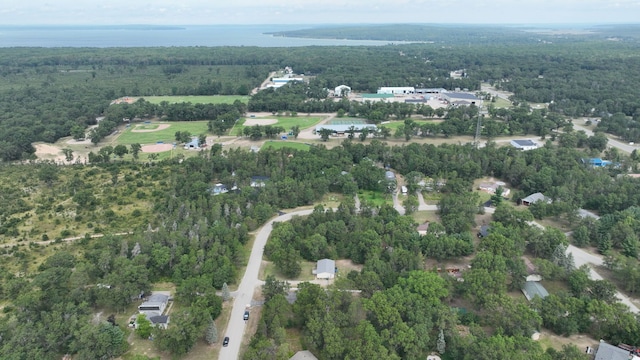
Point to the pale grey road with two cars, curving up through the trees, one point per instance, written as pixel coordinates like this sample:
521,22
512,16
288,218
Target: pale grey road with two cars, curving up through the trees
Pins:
244,294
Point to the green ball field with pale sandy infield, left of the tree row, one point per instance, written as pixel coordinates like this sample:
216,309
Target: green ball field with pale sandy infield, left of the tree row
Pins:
131,135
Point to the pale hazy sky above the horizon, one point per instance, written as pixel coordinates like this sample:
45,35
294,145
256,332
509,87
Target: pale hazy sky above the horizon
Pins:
214,12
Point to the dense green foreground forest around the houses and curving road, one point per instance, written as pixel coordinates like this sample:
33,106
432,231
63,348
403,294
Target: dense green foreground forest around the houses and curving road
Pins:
196,240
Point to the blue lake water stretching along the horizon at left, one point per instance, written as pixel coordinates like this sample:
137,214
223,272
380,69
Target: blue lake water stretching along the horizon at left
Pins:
157,36
